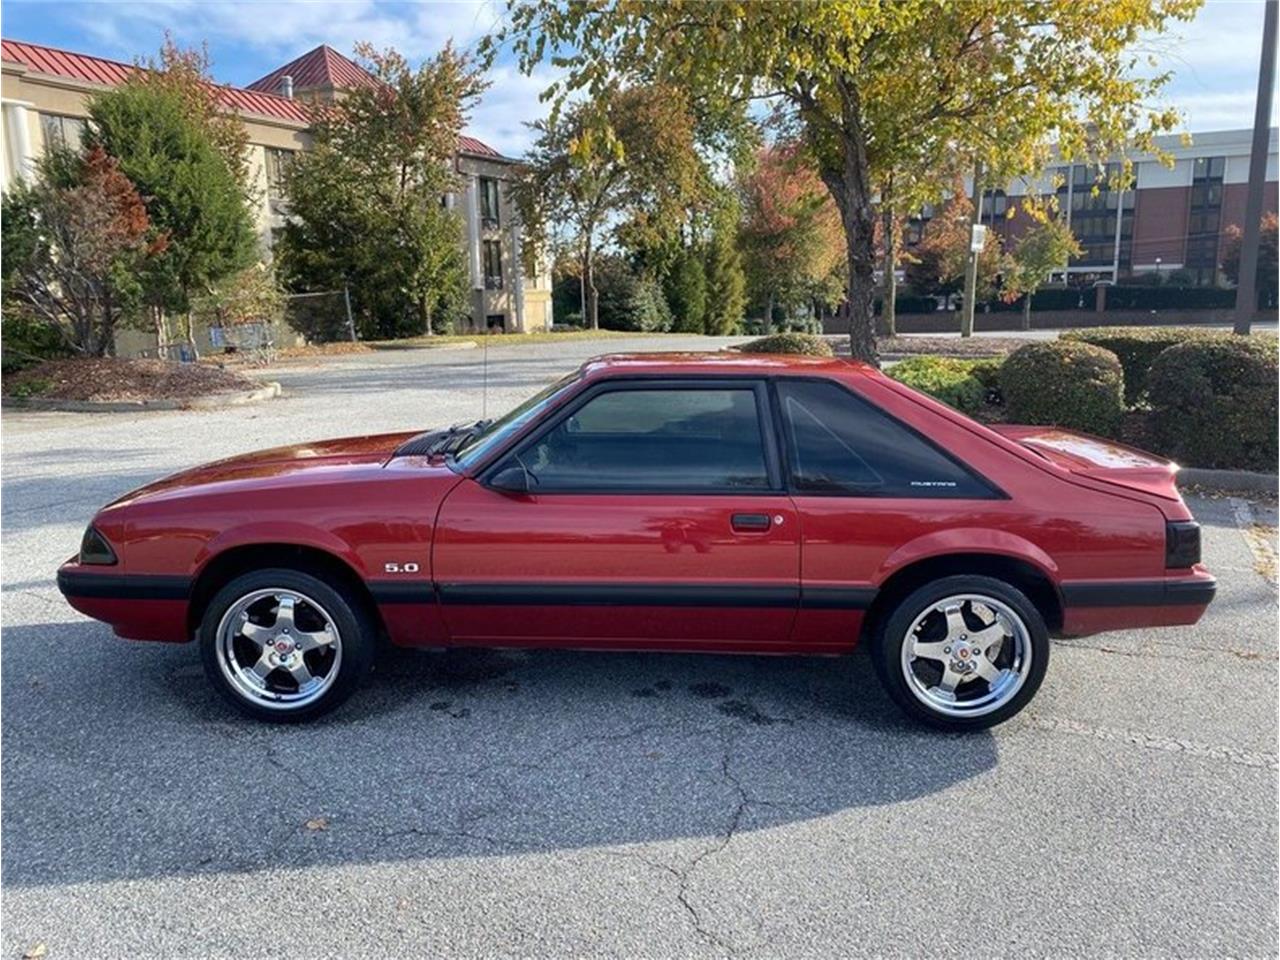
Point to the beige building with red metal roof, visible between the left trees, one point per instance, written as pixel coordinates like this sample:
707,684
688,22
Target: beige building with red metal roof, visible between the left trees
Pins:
45,93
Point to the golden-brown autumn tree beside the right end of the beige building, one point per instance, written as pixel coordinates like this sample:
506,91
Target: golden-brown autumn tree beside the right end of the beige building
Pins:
623,168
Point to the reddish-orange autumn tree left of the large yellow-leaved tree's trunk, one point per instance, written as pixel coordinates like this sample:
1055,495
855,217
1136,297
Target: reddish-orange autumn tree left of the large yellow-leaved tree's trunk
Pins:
792,236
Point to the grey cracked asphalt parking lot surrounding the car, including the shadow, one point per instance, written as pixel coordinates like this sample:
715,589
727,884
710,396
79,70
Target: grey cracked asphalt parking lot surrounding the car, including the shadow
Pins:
548,803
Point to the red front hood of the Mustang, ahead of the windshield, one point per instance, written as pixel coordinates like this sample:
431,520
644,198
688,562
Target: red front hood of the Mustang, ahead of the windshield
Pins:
322,460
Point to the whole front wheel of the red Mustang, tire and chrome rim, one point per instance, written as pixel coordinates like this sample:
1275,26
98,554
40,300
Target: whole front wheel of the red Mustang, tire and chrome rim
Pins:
286,646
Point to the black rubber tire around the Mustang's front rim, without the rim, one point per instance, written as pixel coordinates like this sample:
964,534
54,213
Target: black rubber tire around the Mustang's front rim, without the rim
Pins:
350,614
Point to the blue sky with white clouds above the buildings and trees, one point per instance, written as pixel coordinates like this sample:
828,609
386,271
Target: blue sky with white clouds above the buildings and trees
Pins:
1215,58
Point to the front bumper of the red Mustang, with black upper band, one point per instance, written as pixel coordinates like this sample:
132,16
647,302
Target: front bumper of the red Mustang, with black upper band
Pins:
138,607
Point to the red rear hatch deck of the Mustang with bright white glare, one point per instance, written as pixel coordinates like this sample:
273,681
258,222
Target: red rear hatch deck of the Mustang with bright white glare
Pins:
1098,459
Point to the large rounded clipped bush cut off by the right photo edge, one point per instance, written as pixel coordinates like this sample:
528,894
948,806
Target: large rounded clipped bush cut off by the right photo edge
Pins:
1214,403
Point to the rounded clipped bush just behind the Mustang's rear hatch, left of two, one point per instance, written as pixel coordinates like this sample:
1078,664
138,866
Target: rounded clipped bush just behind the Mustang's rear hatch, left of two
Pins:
1064,383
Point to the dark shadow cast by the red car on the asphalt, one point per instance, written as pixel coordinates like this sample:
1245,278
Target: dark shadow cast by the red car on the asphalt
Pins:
121,762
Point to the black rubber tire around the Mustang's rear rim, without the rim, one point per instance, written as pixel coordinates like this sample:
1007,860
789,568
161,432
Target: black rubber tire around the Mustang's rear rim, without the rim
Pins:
892,634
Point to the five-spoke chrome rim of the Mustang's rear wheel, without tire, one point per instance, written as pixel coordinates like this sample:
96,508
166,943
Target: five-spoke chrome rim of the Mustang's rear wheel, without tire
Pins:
967,656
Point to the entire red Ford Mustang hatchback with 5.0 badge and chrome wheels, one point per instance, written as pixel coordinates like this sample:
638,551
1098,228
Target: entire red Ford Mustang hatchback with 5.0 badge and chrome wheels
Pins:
697,502
